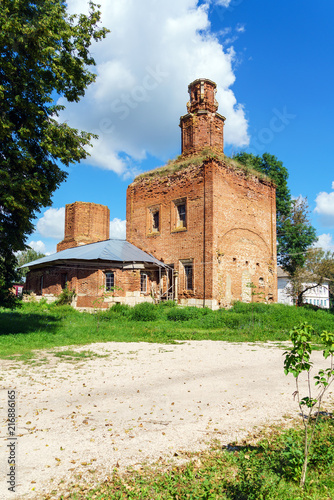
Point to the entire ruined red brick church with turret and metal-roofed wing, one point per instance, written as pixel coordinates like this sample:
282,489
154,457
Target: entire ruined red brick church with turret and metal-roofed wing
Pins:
200,230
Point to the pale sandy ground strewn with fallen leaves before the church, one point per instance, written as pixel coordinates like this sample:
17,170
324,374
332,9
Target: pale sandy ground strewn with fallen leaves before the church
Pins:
136,403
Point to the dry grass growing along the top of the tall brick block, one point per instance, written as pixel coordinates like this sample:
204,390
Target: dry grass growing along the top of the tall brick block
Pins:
182,162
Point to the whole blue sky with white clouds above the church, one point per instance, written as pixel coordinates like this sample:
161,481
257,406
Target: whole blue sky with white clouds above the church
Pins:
272,62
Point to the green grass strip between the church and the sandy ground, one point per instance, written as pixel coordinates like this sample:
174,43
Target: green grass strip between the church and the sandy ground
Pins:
42,326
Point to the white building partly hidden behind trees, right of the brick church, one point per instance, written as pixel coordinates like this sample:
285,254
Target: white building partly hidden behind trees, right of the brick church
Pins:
317,296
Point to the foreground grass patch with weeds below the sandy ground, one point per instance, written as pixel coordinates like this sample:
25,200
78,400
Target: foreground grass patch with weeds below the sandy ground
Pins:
265,468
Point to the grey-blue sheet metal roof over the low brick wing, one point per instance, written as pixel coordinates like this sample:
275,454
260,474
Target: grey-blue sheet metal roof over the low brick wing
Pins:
105,251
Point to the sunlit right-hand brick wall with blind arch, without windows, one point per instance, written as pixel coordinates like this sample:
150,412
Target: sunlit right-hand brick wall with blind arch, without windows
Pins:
244,237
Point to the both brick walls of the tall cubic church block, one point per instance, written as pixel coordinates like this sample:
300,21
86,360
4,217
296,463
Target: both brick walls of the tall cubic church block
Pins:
227,213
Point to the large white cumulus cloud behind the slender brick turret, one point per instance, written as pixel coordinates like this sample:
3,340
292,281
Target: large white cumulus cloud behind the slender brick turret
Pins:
154,50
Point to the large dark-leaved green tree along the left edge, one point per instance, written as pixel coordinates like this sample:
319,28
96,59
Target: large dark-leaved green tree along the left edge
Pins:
44,56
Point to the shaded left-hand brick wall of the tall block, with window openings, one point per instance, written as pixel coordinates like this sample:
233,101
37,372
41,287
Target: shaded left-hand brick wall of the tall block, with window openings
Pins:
170,244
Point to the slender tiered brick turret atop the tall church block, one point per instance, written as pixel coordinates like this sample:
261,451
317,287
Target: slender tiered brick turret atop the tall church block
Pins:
202,127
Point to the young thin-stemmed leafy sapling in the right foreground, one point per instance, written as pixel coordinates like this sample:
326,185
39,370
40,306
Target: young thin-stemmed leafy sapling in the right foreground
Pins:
298,361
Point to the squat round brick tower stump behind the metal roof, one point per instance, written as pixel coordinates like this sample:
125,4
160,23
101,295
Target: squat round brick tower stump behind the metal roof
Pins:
84,223
